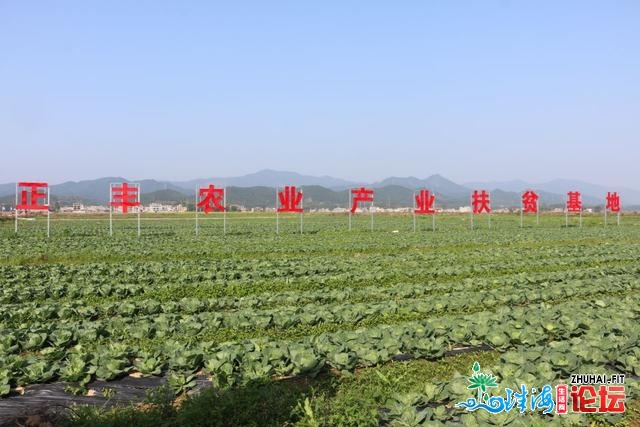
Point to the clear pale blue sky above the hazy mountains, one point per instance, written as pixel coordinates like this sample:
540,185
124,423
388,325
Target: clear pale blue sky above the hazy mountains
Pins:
476,91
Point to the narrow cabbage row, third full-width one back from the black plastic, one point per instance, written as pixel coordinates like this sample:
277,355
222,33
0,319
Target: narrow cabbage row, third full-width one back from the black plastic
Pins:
300,307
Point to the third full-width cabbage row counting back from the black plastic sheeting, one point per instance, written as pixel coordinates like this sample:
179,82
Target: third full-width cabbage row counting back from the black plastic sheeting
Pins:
442,295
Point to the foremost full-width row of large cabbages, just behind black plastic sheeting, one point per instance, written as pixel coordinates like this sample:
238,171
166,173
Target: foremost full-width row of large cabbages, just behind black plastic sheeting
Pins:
552,327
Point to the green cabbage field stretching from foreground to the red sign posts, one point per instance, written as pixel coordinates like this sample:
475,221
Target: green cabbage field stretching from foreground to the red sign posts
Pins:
329,327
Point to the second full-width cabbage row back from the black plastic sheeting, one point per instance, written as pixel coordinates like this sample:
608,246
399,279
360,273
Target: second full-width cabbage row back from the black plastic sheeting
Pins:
33,336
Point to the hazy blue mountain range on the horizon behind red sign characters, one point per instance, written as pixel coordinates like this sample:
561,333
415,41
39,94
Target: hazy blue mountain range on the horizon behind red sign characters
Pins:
257,190
